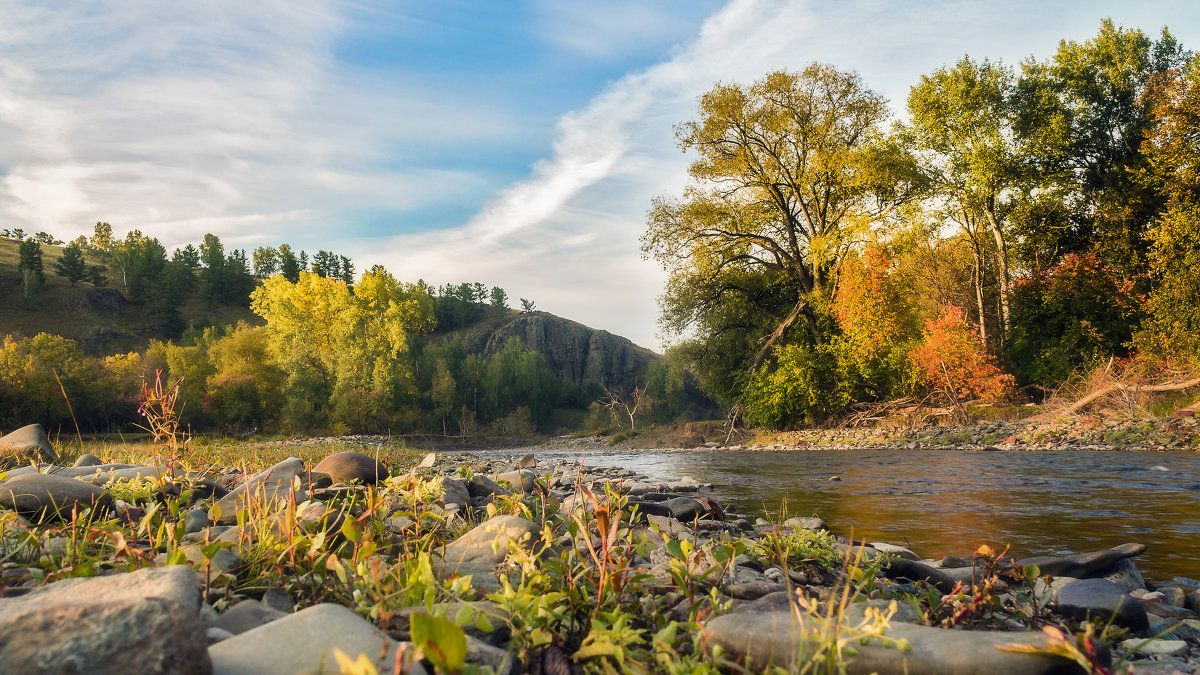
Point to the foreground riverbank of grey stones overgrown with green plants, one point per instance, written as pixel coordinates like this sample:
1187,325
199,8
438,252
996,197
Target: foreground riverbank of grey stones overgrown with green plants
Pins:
521,565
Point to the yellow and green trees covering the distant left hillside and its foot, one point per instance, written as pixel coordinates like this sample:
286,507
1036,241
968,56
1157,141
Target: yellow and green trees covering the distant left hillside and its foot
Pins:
334,354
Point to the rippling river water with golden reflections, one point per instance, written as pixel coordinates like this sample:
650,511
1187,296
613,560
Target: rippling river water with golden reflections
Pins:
949,503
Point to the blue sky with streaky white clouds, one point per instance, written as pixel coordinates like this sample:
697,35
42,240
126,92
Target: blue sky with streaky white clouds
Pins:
515,144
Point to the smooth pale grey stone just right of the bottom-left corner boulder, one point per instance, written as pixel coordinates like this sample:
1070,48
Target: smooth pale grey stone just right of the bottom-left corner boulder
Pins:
303,644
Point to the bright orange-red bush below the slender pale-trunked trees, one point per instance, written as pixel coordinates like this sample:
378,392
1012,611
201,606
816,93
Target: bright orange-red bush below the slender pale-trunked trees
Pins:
952,357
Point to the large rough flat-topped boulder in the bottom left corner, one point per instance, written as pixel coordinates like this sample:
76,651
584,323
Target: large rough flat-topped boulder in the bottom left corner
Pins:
145,622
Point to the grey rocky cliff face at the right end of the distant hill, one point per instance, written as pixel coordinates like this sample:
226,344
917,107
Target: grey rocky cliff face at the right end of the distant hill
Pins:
573,351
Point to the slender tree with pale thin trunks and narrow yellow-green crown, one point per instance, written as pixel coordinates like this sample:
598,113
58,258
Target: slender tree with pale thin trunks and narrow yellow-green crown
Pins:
963,121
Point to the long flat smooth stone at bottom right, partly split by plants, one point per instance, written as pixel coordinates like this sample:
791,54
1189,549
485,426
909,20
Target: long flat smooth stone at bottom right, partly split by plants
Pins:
777,640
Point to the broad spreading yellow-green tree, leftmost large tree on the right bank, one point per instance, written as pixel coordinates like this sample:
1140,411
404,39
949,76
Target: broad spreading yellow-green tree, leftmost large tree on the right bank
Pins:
791,171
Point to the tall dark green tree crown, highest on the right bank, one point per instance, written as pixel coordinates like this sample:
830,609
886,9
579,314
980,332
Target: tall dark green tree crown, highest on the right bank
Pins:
1087,116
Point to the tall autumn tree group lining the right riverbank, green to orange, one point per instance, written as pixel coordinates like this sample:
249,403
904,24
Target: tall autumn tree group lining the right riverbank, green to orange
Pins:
1016,228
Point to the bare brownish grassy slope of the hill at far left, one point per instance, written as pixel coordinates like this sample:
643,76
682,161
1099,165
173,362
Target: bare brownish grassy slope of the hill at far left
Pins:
103,321
